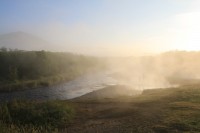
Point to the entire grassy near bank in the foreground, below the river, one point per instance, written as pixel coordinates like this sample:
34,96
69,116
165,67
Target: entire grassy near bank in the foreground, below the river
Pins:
172,110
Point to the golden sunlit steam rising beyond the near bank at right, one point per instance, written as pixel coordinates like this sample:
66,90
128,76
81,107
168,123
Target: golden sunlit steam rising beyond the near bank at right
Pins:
160,71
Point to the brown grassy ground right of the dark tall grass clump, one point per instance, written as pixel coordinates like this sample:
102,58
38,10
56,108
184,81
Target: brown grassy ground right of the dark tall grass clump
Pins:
173,110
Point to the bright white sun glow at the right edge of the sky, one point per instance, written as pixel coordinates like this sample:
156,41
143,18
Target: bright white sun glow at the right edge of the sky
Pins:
186,31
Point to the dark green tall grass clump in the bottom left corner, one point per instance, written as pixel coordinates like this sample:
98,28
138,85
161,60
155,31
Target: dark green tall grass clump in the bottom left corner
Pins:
34,117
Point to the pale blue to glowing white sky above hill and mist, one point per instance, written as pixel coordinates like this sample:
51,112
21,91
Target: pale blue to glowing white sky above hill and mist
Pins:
107,27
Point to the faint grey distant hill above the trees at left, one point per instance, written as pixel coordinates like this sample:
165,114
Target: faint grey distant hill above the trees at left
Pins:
23,41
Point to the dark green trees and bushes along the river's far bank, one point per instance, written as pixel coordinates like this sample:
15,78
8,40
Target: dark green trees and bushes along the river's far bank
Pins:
31,69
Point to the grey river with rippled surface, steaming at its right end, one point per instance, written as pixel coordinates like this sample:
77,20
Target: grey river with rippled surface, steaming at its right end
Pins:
78,87
